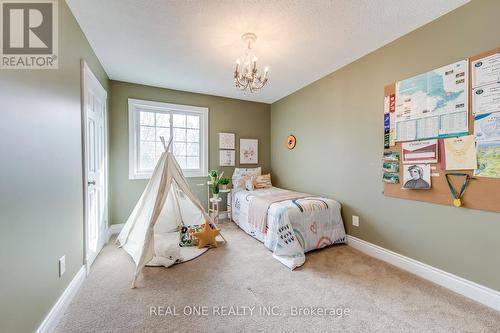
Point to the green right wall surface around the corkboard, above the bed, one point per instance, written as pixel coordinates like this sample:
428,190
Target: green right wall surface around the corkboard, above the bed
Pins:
339,128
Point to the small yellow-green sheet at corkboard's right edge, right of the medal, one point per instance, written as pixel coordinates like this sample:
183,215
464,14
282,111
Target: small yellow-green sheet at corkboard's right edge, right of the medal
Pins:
488,159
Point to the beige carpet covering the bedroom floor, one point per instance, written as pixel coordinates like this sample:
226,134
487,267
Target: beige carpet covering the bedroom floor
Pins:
379,297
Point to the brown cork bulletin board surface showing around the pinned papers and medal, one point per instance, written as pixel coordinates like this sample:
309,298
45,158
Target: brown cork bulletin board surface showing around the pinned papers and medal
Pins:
482,193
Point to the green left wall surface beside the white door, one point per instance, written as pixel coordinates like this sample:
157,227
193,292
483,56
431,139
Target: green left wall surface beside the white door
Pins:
41,180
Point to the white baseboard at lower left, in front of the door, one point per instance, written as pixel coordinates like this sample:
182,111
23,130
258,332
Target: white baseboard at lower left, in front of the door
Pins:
50,322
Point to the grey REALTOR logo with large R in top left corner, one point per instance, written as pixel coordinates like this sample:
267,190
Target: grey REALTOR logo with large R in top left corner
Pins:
28,34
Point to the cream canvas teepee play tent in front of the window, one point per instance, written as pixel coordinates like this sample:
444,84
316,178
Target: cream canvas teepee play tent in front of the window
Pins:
151,233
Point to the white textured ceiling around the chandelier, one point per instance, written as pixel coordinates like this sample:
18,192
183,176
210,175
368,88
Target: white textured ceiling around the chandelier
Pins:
193,45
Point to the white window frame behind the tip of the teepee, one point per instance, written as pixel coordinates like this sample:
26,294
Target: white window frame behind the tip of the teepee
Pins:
137,105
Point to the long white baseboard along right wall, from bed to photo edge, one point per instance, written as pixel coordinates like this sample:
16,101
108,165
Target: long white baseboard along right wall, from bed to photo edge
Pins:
472,290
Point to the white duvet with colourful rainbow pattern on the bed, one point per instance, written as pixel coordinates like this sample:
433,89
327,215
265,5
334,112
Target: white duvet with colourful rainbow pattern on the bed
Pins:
293,226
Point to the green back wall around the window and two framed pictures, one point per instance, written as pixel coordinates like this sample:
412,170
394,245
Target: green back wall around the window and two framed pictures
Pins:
246,119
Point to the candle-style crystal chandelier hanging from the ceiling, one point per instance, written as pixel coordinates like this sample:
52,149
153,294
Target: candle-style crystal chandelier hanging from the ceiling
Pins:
246,75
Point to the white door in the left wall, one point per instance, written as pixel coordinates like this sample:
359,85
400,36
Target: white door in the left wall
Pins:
95,165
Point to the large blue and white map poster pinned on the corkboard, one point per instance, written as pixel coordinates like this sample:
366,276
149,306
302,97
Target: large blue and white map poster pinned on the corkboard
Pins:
433,104
